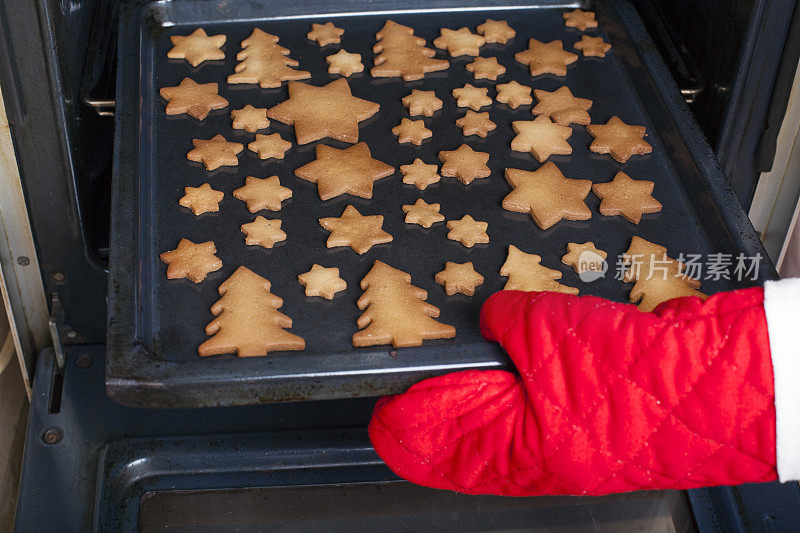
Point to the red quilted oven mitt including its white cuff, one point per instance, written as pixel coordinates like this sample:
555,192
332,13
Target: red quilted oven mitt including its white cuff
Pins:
610,399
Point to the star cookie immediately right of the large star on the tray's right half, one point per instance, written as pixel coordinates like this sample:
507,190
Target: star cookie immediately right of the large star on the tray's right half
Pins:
627,197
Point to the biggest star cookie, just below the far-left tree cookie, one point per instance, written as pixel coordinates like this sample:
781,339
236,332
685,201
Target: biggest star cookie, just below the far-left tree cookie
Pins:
318,112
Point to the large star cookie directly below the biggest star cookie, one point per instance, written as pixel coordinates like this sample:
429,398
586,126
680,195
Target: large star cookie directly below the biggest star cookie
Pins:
344,171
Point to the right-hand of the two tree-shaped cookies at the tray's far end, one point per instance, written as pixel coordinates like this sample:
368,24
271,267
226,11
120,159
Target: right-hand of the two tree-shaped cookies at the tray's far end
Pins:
400,53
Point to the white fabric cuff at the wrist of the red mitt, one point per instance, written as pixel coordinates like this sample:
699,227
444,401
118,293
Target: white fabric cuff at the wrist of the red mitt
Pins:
782,310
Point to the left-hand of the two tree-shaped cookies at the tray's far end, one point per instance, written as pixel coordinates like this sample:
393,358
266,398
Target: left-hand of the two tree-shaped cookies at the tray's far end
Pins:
265,62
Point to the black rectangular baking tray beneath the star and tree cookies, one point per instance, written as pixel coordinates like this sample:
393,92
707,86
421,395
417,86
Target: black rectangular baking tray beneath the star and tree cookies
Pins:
155,324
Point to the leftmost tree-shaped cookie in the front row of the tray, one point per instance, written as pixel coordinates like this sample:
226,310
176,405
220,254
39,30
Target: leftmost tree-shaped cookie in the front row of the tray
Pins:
248,322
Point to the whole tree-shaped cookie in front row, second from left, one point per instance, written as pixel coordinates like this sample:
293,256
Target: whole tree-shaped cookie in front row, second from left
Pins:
395,311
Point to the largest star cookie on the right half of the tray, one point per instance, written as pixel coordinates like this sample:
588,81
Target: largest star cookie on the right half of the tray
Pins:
547,195
